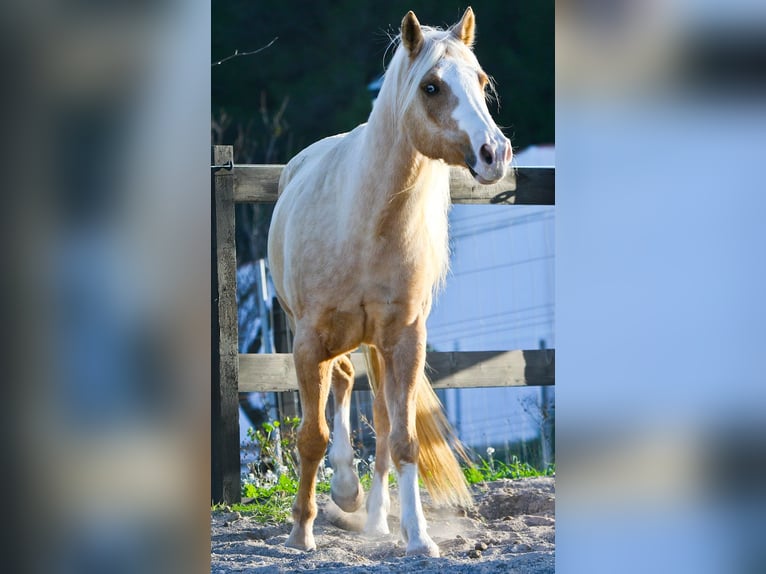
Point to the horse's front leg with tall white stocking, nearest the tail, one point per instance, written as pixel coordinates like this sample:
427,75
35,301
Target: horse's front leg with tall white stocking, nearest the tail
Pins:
405,363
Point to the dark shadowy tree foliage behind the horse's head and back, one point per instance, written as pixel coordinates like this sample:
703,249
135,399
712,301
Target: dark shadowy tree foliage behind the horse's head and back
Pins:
312,82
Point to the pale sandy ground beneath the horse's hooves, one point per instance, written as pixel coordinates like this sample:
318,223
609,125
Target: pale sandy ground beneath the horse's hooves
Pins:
511,529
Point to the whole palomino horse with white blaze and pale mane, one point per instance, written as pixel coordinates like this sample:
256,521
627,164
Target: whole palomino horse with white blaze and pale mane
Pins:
357,247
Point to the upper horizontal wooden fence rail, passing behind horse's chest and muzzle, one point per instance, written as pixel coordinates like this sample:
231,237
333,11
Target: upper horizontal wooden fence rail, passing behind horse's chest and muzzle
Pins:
524,186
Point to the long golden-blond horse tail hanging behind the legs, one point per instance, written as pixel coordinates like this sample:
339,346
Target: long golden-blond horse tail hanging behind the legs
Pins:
438,466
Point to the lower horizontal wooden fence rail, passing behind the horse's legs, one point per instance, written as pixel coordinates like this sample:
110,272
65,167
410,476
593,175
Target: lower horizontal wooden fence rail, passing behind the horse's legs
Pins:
276,372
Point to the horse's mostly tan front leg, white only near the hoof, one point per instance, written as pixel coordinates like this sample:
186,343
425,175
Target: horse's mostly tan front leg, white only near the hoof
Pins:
313,371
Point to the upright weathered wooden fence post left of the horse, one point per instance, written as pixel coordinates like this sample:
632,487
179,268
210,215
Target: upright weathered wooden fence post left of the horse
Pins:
225,466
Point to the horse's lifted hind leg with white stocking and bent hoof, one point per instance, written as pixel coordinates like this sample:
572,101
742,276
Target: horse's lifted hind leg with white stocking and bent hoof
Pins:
345,489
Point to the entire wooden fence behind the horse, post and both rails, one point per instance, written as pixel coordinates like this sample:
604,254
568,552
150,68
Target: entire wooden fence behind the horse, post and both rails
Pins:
233,373
